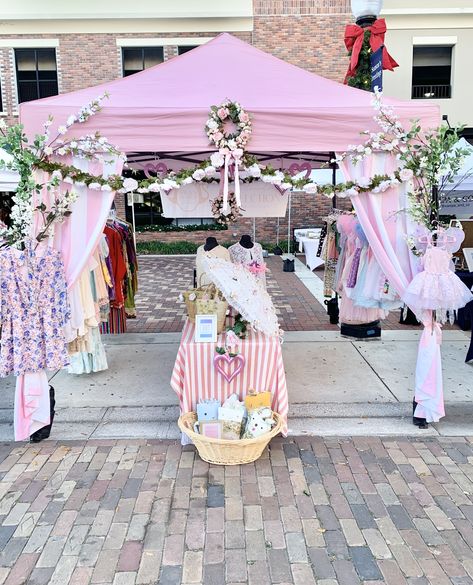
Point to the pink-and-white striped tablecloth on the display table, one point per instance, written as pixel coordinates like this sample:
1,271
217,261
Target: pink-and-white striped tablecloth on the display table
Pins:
194,376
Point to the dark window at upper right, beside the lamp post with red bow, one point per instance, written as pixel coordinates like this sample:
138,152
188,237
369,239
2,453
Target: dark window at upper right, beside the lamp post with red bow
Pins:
431,72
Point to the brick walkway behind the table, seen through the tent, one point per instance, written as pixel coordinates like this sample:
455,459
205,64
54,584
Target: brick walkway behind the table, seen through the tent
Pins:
162,279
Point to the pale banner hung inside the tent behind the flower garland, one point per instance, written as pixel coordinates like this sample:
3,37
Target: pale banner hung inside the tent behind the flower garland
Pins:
257,200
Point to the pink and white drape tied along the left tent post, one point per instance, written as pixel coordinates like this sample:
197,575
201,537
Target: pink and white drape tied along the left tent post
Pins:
77,239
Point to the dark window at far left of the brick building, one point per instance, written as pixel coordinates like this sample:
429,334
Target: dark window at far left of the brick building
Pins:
36,73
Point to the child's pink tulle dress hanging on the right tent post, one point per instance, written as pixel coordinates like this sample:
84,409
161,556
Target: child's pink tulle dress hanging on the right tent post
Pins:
437,287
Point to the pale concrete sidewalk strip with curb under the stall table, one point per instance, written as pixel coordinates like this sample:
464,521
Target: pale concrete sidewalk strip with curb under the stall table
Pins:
336,387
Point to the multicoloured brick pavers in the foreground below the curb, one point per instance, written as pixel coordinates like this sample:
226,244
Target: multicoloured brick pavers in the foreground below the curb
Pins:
311,510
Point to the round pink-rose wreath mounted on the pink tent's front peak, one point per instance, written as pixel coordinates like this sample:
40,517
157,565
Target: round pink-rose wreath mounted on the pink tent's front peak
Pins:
232,112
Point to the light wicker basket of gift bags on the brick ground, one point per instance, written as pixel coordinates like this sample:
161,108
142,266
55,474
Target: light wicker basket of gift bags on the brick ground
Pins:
227,452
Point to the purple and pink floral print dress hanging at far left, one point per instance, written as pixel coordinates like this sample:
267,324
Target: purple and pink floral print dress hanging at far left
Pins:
33,310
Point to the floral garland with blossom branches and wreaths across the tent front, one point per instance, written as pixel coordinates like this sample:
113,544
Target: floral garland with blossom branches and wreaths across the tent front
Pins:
424,160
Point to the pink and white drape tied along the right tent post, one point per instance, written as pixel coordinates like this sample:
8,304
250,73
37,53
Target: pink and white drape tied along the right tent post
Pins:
386,230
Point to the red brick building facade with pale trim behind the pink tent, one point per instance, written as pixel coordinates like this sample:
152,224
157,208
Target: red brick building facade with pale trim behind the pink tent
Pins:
307,33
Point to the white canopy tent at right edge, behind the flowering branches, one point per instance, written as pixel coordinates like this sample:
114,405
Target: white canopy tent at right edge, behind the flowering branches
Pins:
457,198
